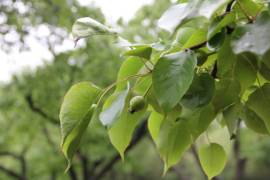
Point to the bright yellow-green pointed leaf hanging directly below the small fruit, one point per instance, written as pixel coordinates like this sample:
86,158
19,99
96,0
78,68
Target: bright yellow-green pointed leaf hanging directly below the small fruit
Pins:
120,133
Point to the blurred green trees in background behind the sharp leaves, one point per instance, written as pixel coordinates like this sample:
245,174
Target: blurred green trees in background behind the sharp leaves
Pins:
29,104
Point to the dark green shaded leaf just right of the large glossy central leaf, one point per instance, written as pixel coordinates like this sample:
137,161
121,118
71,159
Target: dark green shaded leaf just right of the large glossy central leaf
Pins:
200,92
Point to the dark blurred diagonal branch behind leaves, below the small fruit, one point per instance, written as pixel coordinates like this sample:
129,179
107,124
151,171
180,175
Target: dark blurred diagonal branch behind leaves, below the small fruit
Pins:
140,133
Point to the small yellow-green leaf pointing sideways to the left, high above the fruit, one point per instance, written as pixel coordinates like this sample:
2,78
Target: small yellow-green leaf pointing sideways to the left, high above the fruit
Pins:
141,51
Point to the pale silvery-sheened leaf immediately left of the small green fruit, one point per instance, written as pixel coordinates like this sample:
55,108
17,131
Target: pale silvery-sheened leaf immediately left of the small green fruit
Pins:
113,107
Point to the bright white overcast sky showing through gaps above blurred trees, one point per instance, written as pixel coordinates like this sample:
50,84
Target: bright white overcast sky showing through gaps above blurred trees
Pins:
15,62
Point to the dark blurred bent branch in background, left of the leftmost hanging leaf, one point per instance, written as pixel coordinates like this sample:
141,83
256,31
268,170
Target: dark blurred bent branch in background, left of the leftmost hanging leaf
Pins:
38,110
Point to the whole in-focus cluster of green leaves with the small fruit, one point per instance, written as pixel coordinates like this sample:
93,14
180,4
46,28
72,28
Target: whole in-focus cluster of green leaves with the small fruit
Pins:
216,65
